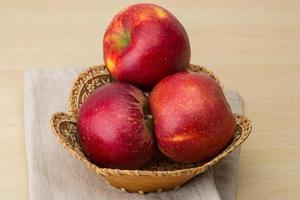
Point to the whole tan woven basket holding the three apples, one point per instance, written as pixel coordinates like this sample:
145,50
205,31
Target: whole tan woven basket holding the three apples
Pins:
159,175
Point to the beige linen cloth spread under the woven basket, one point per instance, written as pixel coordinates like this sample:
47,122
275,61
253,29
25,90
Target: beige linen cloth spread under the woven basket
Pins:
55,175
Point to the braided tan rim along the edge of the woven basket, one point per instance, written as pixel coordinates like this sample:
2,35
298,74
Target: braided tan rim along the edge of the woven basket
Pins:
72,115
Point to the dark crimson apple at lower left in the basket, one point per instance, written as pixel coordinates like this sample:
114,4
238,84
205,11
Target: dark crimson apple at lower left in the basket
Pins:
113,127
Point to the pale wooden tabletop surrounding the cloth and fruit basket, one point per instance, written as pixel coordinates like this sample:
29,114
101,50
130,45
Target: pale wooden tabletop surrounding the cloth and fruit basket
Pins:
253,46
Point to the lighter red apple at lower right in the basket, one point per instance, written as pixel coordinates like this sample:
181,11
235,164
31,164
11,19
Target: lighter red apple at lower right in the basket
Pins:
192,119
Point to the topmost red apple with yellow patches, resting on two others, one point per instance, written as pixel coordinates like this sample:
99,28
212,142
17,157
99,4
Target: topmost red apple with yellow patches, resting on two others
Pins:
145,43
